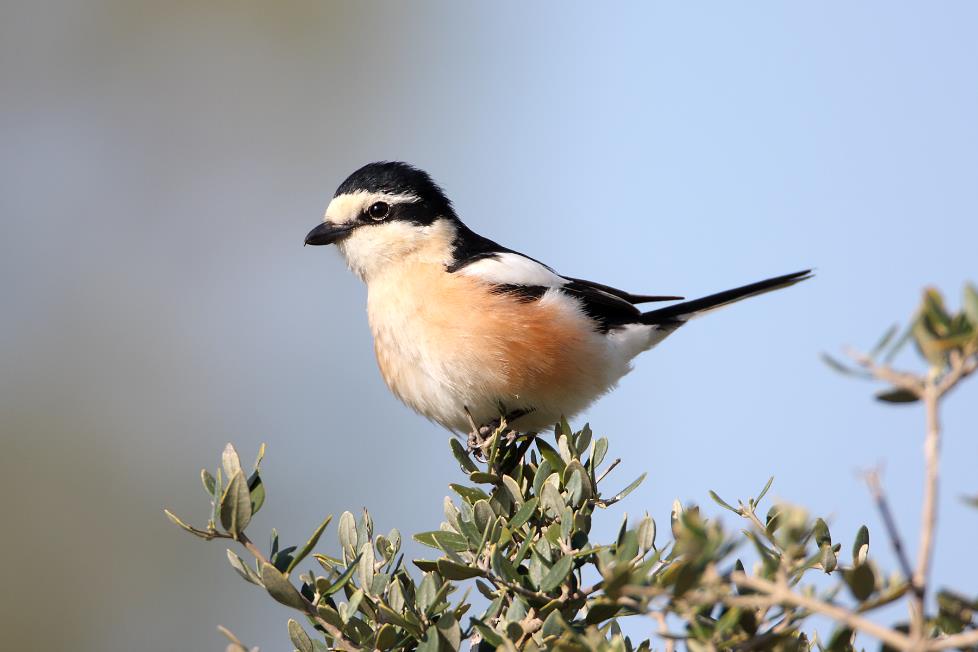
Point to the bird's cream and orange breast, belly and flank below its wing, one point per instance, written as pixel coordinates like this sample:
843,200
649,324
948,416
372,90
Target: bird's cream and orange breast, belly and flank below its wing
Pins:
444,343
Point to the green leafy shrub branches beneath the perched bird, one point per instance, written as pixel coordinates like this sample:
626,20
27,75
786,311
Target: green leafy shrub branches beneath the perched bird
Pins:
519,531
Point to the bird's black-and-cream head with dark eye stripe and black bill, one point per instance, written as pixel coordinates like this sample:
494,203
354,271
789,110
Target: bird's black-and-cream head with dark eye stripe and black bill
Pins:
387,213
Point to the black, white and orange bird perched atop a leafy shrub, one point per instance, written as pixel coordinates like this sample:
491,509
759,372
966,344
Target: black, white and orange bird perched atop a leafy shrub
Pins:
467,331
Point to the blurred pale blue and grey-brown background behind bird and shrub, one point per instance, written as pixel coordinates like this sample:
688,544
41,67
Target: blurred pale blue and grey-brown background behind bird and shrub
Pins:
162,162
